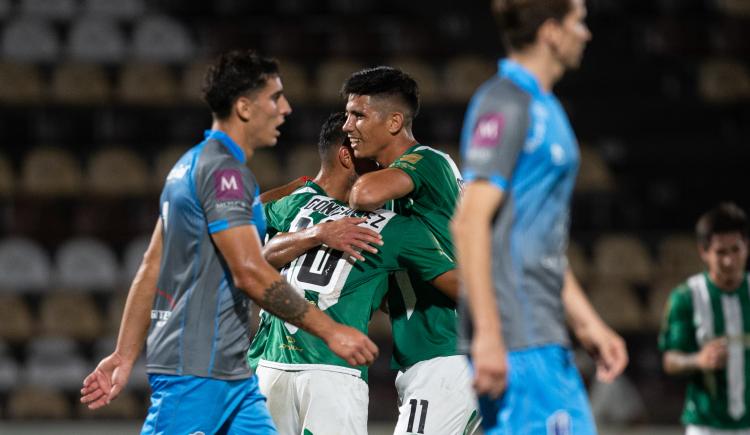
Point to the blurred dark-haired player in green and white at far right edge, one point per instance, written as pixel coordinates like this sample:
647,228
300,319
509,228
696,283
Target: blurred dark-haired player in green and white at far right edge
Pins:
706,329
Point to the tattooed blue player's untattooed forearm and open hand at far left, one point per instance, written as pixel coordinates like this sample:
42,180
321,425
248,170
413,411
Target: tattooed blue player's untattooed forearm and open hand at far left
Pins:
111,375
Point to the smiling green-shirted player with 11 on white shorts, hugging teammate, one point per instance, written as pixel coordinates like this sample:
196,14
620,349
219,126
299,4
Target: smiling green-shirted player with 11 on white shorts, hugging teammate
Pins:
433,382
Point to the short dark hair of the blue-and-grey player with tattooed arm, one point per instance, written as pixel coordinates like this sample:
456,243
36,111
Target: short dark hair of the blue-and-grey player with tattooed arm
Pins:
234,74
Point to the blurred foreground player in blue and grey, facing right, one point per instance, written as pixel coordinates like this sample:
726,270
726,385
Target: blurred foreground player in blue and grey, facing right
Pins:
511,232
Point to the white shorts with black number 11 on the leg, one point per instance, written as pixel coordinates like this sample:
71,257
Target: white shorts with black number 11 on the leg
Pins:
436,398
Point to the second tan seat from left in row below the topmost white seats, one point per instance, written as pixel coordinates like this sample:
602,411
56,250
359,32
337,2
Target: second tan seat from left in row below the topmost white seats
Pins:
80,83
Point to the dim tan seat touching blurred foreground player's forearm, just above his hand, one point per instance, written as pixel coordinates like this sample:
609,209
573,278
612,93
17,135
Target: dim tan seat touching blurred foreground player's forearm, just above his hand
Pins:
616,303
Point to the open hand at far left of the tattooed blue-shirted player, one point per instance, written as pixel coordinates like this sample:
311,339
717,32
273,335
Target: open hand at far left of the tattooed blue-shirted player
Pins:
106,382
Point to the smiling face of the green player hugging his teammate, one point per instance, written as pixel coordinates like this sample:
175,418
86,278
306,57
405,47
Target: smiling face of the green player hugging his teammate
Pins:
366,126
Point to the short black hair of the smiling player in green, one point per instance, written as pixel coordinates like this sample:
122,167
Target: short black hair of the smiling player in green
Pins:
385,81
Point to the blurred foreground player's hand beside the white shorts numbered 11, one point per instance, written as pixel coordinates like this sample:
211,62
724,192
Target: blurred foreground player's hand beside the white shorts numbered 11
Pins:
490,362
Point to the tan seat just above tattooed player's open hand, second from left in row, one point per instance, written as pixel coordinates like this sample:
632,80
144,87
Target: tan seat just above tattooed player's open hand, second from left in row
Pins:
70,314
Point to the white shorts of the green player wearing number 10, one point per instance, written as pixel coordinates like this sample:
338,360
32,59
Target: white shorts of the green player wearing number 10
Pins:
323,402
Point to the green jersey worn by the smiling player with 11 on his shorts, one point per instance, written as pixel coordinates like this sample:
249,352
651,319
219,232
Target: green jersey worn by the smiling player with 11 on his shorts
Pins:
423,319
